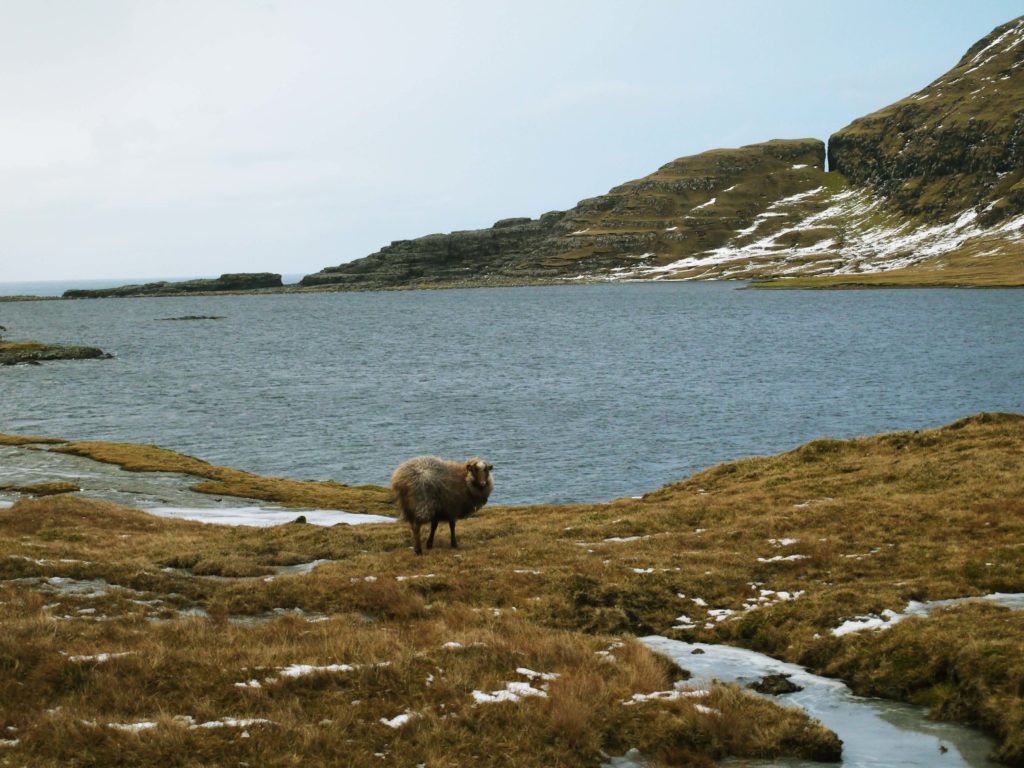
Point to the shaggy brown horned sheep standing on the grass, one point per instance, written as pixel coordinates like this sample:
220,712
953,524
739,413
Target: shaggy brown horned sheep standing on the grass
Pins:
432,490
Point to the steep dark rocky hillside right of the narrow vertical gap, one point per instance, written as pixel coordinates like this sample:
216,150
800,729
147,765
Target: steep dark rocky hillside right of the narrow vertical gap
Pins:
954,146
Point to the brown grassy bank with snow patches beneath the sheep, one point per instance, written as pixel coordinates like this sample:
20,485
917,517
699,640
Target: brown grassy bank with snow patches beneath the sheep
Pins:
844,529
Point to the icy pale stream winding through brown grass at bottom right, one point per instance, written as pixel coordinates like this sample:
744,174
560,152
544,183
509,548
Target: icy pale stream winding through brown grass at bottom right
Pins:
875,733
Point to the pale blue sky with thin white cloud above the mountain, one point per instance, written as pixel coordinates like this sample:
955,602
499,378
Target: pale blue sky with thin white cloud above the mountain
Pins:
150,139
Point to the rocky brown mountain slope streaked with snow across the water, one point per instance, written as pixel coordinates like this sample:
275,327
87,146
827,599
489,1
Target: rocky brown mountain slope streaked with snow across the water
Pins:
929,190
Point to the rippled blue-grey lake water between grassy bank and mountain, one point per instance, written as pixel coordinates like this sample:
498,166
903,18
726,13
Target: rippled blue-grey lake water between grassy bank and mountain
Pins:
575,394
